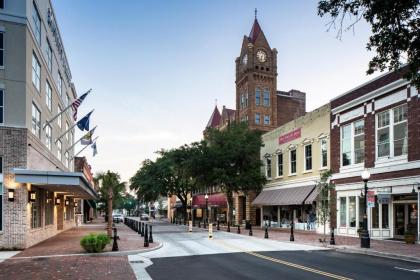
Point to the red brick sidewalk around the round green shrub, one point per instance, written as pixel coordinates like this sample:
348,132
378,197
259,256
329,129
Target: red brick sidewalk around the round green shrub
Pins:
62,257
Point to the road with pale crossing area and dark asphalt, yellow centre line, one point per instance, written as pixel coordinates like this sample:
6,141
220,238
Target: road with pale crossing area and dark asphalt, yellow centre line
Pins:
229,256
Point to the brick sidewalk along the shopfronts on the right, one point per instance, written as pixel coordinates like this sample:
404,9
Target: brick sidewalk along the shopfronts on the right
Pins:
383,248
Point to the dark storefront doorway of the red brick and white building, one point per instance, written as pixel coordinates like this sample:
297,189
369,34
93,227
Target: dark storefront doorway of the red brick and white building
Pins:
404,213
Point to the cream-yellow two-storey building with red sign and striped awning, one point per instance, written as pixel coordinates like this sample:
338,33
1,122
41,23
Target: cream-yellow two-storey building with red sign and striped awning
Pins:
294,156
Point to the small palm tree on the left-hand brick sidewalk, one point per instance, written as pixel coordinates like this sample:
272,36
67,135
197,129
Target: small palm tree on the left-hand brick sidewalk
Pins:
111,191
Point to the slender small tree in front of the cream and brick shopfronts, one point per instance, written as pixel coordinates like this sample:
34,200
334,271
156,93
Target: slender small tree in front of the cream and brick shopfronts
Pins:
324,187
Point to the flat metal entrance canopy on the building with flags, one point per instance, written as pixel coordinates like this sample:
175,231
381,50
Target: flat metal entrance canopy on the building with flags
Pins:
57,181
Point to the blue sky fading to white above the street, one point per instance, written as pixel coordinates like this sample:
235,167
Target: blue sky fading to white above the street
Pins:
156,68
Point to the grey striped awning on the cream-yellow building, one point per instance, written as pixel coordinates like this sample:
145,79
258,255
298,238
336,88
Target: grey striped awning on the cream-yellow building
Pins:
286,196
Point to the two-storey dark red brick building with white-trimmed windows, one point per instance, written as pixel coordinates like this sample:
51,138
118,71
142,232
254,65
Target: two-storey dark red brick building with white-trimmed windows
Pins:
376,126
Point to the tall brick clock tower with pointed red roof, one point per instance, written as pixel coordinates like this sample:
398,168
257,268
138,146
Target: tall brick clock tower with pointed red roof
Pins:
256,81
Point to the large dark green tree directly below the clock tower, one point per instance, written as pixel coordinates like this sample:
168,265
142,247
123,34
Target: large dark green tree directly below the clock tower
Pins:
230,159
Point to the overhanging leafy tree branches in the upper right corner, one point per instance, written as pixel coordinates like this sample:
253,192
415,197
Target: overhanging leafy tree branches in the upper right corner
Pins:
395,30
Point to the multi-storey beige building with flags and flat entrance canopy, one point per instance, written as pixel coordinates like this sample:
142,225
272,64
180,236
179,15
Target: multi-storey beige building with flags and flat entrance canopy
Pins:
39,190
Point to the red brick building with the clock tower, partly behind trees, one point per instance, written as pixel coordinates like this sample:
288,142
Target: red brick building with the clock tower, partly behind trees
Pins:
258,103
